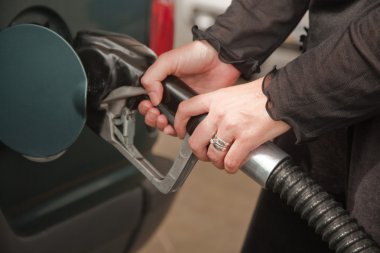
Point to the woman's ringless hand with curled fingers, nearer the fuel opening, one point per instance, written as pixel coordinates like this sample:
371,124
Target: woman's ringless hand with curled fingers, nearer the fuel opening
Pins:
197,64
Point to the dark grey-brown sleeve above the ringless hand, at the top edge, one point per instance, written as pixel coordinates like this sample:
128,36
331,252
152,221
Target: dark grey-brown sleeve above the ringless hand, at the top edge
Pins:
250,30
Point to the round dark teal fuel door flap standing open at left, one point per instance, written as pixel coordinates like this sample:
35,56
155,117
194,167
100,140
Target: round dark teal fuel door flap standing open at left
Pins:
42,91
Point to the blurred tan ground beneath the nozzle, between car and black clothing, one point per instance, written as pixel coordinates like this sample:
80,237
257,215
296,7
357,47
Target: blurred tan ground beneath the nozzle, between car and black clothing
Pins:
211,212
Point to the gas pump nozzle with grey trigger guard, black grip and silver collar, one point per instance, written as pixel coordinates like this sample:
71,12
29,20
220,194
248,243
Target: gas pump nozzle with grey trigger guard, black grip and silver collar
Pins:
114,64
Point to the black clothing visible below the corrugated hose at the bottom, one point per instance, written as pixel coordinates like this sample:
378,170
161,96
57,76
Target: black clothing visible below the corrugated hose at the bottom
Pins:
276,228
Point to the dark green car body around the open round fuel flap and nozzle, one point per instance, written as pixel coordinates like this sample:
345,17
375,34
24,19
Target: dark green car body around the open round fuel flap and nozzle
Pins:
91,199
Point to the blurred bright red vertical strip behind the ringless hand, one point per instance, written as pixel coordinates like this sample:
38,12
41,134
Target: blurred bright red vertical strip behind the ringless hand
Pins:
162,26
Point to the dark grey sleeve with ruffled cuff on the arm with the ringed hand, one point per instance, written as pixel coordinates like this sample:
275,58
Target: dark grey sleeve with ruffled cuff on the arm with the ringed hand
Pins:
333,85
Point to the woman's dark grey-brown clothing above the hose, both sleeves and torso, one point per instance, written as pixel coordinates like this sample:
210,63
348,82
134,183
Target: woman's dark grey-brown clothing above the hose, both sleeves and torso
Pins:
330,95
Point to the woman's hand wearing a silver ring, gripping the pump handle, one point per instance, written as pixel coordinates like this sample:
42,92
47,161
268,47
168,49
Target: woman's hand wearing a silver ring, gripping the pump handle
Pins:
236,115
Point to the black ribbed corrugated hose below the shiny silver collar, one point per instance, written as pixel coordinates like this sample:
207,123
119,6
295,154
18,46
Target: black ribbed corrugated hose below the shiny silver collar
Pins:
322,212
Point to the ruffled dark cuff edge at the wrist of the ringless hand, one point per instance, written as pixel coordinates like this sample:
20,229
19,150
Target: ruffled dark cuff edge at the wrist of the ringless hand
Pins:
247,67
